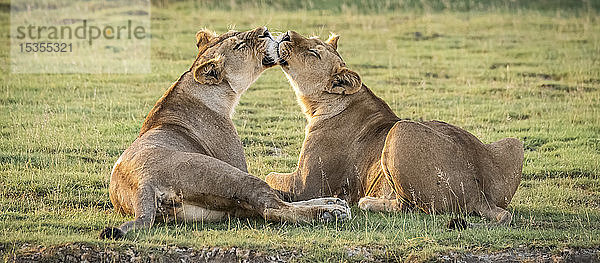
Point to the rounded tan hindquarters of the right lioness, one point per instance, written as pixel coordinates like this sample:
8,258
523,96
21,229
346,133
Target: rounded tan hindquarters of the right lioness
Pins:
440,167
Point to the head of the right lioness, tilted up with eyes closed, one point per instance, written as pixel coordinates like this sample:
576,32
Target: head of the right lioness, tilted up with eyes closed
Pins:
314,67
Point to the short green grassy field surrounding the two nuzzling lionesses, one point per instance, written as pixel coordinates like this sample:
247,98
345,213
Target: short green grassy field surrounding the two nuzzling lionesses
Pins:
514,69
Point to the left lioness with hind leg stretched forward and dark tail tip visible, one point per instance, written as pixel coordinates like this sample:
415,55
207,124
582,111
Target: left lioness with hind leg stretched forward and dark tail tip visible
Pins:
188,163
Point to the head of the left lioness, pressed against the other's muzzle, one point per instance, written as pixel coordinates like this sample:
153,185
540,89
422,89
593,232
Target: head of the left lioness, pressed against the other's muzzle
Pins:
237,58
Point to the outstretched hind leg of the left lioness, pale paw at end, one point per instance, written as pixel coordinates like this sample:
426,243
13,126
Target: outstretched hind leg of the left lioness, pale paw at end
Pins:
222,180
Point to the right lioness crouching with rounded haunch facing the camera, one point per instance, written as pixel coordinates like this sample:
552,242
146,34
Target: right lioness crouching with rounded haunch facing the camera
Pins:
356,147
